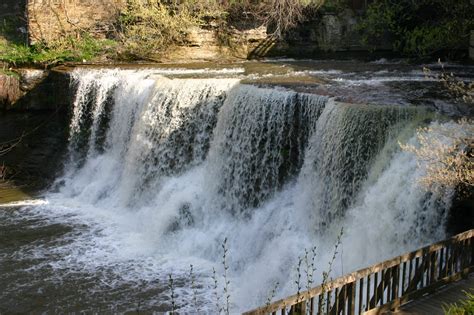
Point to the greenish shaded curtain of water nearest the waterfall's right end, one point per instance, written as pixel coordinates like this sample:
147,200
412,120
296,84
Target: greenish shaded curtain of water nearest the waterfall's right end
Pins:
342,150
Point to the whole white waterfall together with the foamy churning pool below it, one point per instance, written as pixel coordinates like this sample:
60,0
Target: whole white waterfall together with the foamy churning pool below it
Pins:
162,168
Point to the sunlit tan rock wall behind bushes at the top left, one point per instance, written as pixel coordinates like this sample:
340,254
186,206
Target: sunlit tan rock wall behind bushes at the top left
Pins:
50,19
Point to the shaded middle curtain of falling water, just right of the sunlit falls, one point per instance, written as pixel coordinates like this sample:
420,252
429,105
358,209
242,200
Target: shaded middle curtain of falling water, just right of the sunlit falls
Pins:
260,141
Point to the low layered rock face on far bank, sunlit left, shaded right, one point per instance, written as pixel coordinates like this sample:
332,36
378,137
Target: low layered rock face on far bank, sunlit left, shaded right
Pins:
327,33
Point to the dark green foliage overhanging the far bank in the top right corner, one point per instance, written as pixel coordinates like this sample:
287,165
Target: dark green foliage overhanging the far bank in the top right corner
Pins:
419,28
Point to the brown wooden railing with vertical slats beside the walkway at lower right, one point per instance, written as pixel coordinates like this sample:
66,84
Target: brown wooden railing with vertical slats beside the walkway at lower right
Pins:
386,285
